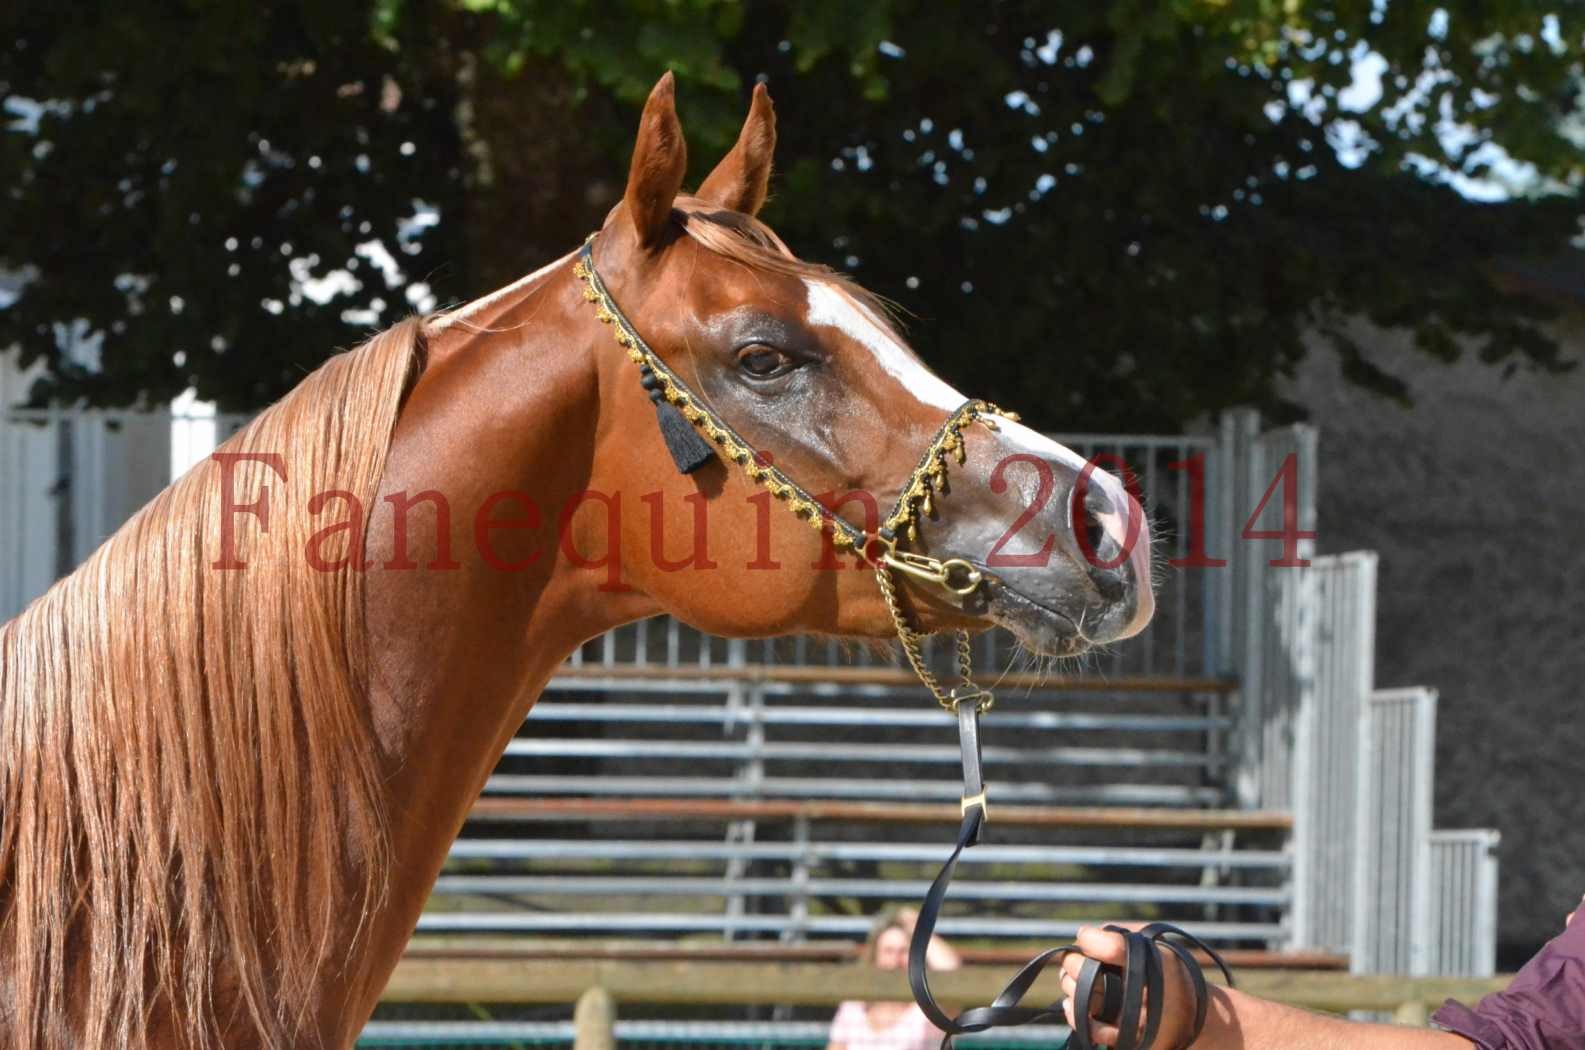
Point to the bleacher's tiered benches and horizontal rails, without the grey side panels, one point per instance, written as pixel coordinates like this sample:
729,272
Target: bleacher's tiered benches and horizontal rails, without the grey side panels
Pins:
722,791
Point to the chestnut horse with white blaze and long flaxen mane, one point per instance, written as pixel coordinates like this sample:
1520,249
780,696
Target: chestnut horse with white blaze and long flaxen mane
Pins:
239,742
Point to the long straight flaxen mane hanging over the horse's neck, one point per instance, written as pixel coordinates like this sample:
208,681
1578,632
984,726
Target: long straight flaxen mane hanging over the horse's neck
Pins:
189,783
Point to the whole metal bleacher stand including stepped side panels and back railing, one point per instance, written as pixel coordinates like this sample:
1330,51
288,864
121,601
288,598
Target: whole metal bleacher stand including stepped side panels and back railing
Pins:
679,789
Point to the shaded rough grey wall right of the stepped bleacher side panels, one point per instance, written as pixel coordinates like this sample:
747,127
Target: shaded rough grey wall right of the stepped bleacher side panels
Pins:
1476,502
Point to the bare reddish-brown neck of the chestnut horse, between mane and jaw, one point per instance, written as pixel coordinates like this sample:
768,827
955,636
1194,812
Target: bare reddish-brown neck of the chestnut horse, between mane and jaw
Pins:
510,404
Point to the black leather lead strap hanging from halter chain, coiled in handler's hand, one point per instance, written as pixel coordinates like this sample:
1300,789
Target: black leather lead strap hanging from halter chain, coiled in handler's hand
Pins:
1128,992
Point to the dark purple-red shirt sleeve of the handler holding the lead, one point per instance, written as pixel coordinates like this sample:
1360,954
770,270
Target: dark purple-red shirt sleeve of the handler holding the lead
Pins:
1545,1008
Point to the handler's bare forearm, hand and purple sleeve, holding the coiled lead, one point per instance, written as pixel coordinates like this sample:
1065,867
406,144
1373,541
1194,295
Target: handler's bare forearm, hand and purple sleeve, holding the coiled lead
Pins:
1543,1010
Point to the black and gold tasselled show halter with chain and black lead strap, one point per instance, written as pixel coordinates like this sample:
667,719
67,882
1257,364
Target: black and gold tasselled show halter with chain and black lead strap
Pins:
693,435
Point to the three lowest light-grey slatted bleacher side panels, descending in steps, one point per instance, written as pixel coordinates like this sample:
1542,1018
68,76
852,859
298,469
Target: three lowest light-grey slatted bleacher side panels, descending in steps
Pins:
1372,879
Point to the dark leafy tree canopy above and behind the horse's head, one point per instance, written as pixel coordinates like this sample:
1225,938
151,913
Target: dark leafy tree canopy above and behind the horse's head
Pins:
1109,215
